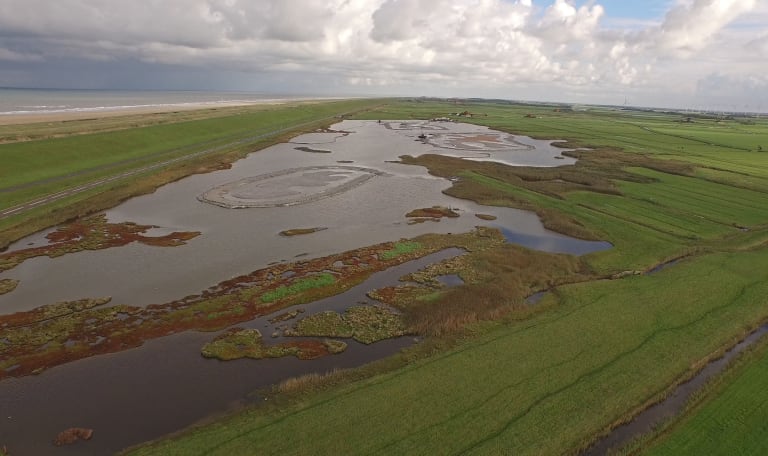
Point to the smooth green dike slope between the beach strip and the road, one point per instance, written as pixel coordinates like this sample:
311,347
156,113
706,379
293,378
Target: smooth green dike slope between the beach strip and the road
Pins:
30,161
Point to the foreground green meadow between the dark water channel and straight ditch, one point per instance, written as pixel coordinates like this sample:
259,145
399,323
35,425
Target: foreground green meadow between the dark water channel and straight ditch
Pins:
606,347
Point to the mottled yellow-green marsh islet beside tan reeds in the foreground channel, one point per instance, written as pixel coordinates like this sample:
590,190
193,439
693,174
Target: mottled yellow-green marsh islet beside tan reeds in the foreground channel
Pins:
366,324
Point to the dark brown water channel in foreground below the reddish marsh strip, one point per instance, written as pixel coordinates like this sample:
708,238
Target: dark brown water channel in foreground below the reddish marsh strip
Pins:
165,385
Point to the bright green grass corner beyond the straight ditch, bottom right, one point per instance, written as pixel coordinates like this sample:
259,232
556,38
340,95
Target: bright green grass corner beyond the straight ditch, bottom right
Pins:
733,421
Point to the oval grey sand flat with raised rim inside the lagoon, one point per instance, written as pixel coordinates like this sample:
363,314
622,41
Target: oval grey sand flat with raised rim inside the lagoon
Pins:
288,187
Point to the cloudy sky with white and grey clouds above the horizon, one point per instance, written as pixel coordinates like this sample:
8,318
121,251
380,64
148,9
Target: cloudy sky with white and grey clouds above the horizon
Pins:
680,53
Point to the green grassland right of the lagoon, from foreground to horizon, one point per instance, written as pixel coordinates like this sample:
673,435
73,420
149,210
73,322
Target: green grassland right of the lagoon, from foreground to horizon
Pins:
594,353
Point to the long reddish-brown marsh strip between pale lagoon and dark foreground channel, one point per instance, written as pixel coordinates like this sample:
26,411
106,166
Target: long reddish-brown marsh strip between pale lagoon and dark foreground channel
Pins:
101,329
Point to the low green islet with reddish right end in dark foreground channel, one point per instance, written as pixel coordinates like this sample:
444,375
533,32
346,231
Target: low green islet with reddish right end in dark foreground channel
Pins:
248,343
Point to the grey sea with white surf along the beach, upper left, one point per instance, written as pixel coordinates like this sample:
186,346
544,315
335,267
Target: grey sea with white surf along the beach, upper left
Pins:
54,101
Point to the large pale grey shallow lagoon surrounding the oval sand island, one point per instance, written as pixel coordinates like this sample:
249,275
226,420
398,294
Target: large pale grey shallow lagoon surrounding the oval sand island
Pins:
237,241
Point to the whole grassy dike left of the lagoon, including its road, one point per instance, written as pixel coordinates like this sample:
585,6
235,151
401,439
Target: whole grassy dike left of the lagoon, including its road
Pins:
40,160
